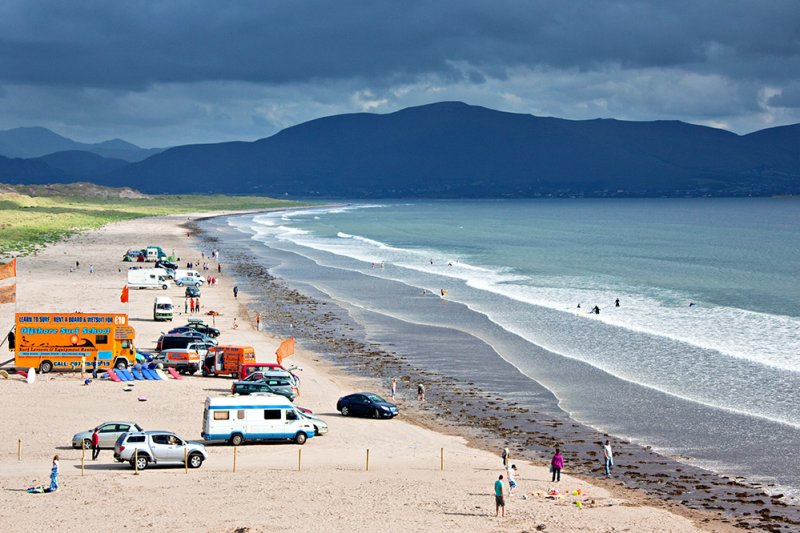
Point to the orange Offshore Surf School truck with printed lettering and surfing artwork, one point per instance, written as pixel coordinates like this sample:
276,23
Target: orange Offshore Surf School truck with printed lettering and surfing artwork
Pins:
65,341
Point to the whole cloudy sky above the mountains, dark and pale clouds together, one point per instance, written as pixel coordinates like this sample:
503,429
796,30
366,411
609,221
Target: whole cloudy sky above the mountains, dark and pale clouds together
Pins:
163,73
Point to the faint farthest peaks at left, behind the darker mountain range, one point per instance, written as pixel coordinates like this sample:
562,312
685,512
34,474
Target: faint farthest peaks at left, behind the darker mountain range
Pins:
36,142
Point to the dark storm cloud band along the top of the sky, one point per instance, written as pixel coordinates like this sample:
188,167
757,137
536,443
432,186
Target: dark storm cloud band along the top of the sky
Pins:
135,44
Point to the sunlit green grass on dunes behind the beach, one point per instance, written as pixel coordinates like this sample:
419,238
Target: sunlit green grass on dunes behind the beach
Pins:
28,223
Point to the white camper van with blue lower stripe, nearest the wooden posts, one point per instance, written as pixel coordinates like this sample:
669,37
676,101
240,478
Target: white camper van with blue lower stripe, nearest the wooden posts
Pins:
254,417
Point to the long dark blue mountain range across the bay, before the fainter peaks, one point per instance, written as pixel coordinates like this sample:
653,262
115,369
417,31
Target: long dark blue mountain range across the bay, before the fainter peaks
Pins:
455,150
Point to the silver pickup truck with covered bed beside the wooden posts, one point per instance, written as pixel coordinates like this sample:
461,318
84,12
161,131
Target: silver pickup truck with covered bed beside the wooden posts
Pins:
140,448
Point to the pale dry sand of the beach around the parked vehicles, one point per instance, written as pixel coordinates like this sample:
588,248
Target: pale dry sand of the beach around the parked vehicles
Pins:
403,490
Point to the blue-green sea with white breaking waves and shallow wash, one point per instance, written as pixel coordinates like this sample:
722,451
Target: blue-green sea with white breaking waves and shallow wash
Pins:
695,348
